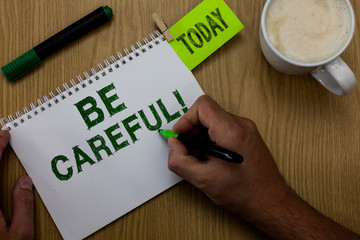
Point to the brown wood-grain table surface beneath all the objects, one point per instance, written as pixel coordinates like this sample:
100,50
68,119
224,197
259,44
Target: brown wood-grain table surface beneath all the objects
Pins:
313,134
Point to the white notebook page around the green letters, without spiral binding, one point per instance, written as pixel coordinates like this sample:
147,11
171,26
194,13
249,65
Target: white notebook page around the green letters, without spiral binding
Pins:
107,189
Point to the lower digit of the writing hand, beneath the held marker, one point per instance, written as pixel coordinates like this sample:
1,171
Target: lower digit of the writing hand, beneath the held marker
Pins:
181,163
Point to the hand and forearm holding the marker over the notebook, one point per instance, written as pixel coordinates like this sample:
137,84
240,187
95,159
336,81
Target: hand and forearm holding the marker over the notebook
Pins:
253,189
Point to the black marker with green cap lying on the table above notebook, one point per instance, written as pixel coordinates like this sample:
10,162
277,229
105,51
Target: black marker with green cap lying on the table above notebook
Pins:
33,57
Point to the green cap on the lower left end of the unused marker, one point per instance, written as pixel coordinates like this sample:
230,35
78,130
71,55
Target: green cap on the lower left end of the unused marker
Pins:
21,65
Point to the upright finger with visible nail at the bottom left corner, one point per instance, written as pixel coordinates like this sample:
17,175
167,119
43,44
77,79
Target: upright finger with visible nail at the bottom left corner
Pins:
22,224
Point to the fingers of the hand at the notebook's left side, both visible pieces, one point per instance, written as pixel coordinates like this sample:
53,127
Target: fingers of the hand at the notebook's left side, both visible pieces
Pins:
22,224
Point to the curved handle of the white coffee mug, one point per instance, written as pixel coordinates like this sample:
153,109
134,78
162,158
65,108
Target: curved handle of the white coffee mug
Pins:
336,76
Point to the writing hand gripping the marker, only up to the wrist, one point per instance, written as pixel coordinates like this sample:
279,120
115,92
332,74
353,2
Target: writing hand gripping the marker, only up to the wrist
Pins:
249,188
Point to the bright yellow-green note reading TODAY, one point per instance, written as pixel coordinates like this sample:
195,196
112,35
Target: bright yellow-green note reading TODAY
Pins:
203,30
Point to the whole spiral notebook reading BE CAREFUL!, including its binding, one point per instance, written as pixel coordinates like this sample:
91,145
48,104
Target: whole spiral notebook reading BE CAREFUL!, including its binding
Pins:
92,149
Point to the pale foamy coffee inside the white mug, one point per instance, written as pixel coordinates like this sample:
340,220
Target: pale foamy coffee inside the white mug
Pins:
308,31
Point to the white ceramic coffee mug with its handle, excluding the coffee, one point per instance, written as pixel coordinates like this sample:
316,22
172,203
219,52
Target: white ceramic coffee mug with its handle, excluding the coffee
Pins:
333,73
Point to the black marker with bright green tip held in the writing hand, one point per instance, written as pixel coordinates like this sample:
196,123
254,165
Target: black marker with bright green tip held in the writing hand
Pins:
206,148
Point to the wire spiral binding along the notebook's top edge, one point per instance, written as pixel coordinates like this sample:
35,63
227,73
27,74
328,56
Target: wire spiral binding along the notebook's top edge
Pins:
82,82
